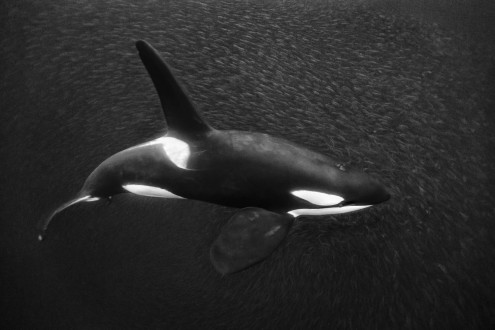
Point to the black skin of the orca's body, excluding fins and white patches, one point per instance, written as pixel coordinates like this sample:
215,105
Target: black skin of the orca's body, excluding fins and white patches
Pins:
236,169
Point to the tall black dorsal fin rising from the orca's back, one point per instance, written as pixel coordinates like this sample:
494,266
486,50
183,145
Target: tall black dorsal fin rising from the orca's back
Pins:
182,117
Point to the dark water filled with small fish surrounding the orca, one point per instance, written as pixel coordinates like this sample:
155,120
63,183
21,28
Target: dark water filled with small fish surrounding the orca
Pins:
378,85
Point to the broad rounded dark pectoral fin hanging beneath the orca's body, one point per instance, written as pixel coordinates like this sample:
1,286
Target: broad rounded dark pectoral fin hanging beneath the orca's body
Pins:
249,236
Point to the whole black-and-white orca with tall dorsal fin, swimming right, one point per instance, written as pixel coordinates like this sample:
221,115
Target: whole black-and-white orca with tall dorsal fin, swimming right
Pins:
272,181
